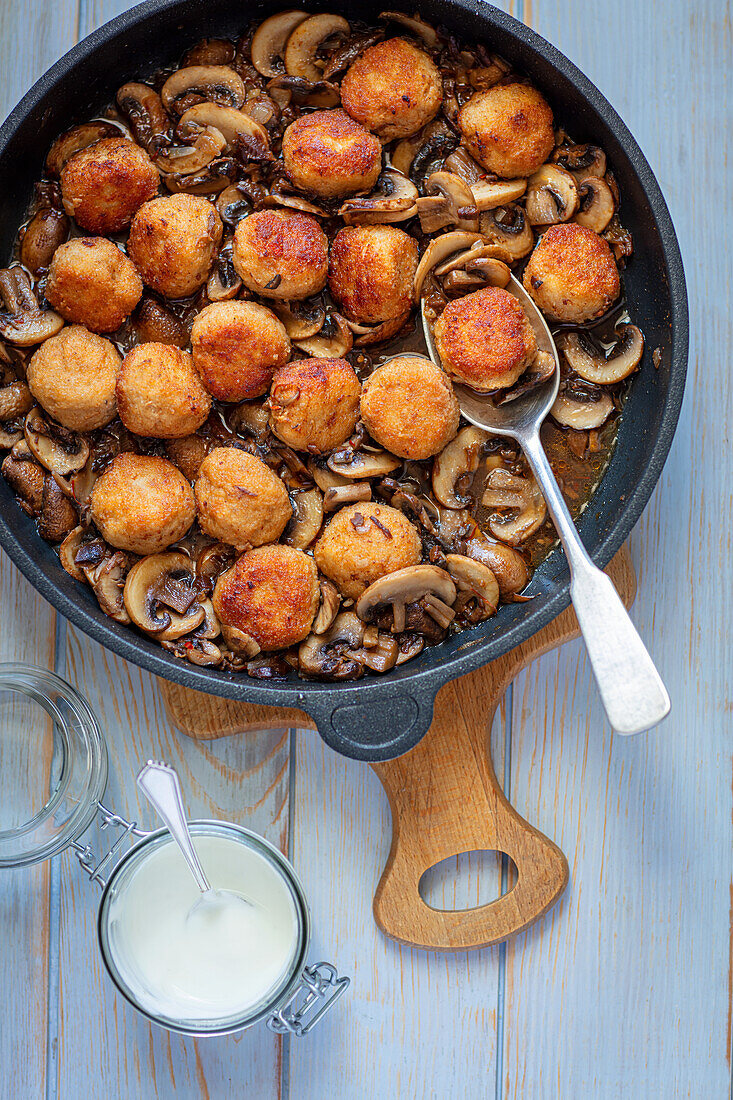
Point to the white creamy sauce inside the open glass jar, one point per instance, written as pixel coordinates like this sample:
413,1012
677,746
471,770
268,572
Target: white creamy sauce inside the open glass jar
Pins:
223,960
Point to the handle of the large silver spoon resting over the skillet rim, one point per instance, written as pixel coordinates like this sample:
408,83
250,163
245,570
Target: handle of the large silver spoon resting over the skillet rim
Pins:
632,691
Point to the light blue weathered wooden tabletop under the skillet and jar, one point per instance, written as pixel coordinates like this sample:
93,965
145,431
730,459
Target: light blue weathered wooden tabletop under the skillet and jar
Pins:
625,991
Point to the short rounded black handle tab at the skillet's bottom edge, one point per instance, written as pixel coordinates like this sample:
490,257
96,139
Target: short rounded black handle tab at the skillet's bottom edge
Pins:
387,727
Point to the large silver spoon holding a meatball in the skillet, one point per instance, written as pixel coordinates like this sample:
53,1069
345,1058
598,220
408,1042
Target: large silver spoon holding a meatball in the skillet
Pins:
632,691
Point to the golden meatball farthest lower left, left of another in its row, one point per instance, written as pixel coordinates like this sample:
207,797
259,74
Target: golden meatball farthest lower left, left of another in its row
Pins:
143,504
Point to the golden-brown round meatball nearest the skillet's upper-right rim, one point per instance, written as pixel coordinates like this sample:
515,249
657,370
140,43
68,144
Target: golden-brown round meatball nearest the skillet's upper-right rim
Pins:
508,129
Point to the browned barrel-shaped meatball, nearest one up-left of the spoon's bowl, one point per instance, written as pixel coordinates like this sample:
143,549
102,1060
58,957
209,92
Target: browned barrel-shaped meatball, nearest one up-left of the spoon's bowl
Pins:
371,272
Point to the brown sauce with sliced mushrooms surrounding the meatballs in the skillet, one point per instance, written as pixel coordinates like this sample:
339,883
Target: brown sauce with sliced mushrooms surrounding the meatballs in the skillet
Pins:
463,512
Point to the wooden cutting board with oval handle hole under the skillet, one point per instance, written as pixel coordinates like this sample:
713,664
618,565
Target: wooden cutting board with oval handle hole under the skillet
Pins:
444,795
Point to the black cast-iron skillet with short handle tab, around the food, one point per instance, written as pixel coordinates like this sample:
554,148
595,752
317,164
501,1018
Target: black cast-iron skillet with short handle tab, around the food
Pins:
378,718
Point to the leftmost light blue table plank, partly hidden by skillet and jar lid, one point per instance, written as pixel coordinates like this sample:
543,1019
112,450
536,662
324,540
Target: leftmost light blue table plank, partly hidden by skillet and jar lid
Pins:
31,37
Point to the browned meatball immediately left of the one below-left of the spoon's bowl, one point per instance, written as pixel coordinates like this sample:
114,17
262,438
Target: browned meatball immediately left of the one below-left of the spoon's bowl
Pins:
314,404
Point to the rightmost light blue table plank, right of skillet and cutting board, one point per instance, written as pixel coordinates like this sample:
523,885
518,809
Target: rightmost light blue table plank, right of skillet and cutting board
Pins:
625,992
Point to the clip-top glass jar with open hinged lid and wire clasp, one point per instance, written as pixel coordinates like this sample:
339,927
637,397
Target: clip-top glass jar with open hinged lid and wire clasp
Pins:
51,721
